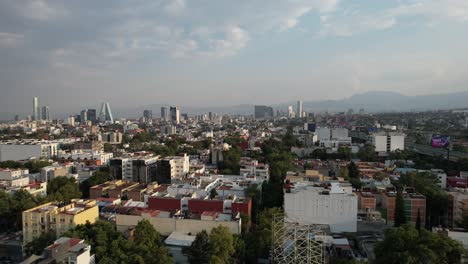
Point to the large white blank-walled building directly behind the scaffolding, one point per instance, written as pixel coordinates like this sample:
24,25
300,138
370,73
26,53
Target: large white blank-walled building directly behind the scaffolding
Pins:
336,207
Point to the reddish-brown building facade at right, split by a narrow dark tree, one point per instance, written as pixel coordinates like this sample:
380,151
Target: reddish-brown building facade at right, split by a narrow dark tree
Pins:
413,202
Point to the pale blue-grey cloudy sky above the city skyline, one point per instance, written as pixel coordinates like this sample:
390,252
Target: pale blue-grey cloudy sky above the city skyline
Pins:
76,54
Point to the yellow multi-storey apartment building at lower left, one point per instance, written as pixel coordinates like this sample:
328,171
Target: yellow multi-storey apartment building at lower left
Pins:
52,217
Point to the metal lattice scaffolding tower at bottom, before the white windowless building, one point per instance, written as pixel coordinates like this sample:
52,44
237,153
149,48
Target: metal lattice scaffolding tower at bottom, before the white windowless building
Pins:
296,243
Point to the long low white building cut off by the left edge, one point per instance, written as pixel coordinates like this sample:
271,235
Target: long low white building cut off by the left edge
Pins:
27,149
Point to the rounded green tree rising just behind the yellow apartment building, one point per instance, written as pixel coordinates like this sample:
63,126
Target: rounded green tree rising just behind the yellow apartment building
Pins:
62,189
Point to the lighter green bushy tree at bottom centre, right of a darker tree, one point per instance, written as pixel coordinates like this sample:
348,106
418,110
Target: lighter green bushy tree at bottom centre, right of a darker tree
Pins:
221,244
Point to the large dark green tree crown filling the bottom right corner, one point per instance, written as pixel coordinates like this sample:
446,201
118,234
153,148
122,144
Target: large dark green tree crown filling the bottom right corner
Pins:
406,245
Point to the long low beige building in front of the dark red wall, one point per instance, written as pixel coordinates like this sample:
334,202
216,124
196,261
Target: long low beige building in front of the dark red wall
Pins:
165,224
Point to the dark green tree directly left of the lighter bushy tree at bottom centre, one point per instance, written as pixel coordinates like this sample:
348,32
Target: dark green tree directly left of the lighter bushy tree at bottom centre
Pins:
200,251
